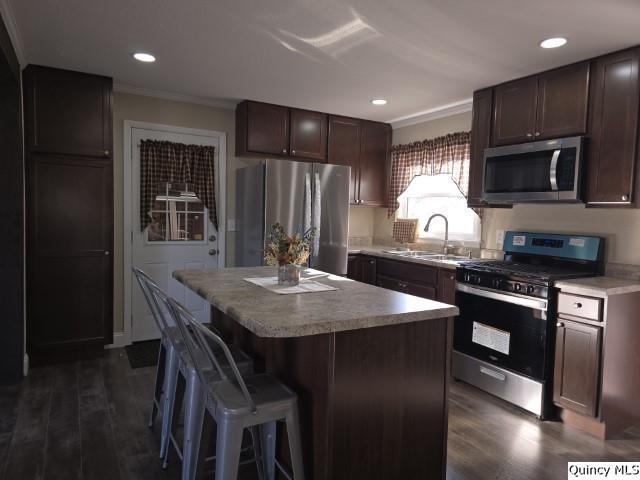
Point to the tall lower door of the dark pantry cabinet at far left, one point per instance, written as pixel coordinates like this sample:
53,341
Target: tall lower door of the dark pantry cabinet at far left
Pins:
69,254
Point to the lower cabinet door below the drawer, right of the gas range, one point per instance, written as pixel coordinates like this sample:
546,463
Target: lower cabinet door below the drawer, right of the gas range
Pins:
577,367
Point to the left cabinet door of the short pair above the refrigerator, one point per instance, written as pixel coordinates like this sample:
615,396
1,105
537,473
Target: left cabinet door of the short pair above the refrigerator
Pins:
267,128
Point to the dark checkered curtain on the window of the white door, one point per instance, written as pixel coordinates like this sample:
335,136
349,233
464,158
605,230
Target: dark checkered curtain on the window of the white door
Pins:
167,162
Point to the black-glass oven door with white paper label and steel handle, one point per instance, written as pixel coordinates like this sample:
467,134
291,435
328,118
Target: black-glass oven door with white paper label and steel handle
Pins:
506,330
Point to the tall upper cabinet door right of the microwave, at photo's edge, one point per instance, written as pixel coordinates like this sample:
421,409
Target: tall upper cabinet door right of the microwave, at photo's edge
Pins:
613,129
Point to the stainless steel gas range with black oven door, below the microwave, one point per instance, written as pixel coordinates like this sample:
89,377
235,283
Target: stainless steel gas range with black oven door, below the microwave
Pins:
504,336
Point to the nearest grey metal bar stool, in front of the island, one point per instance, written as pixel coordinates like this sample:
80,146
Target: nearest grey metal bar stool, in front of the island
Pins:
255,402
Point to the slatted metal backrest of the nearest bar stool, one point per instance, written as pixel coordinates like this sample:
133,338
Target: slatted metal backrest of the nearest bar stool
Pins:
198,336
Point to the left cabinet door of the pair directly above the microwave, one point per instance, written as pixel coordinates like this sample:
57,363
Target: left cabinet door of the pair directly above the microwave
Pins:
515,111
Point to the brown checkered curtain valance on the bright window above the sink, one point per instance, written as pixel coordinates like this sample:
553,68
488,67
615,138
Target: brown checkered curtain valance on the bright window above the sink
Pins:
448,154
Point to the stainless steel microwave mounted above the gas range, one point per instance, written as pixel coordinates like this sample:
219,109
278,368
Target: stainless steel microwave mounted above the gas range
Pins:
545,171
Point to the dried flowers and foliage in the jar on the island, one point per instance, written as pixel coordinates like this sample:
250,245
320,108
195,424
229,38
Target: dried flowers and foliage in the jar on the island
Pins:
283,249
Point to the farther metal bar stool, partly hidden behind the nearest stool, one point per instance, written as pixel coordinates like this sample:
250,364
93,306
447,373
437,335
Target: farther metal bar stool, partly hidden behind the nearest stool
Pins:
174,361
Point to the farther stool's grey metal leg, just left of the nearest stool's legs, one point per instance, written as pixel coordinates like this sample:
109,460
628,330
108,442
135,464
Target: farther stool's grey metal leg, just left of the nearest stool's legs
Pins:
193,420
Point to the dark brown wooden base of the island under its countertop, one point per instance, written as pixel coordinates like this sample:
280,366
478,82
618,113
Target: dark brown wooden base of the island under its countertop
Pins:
364,397
